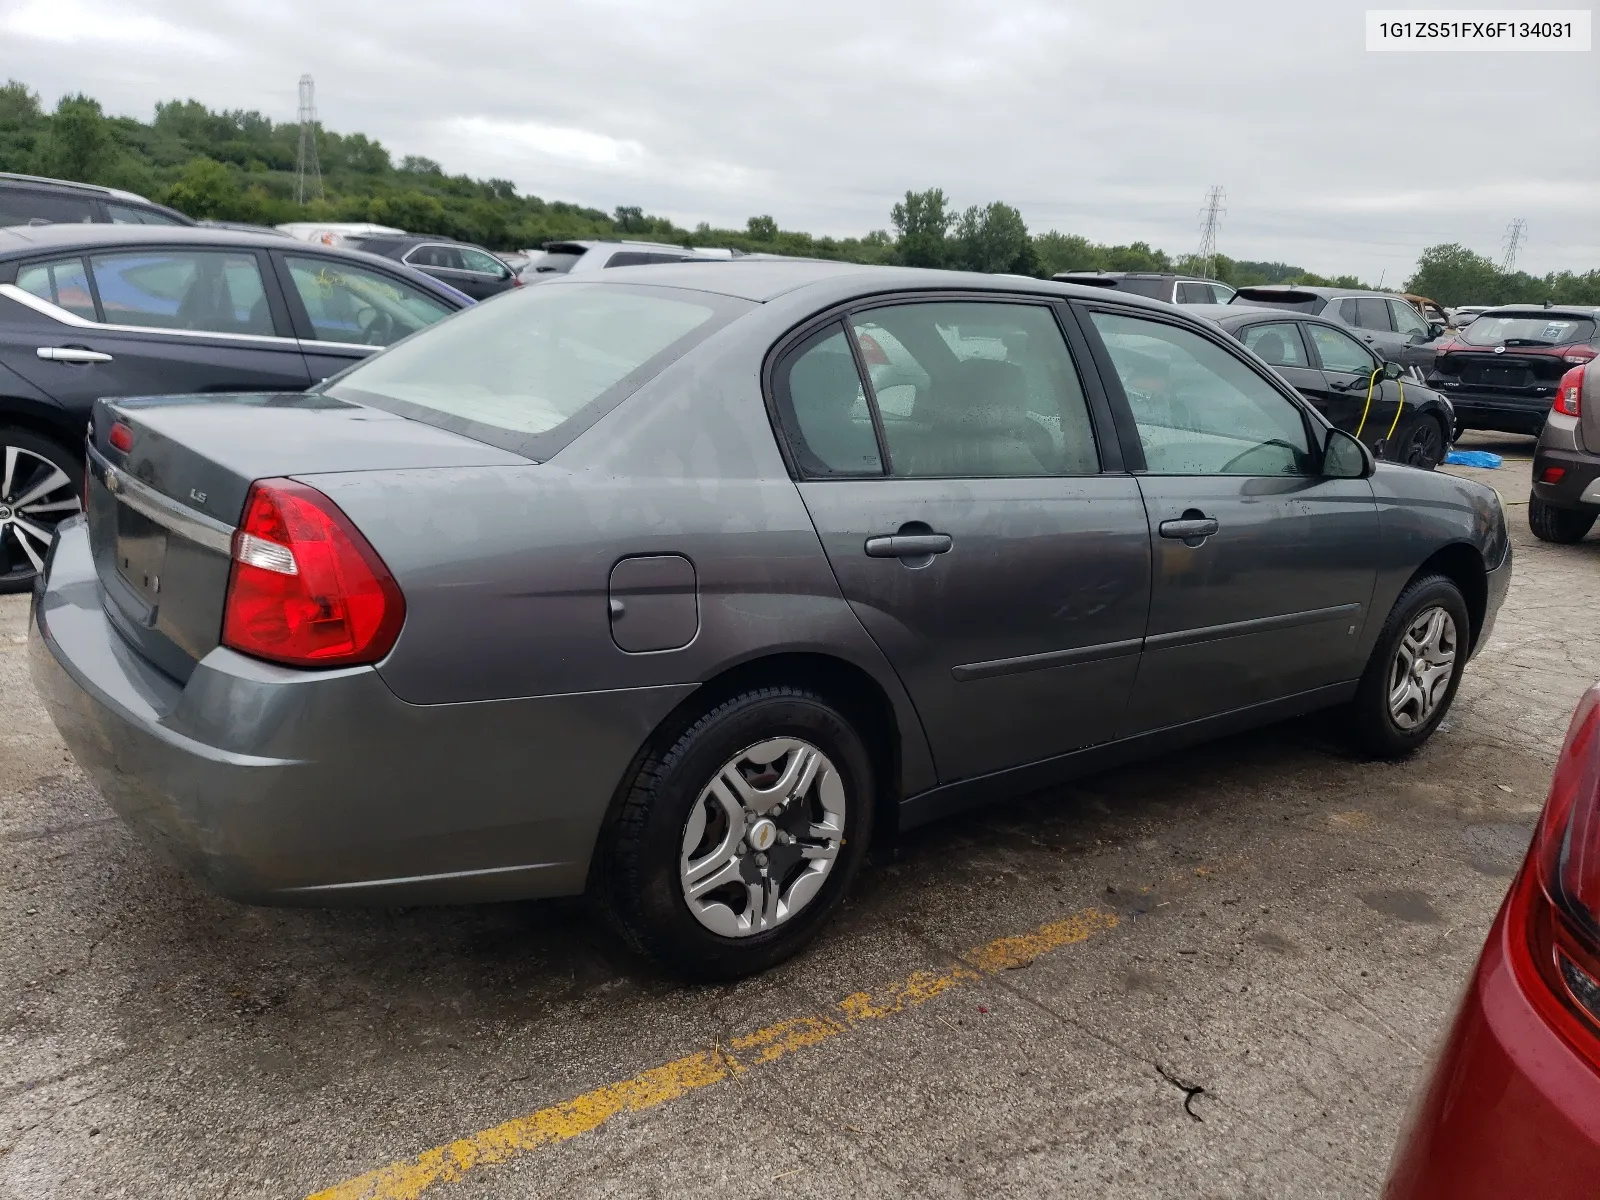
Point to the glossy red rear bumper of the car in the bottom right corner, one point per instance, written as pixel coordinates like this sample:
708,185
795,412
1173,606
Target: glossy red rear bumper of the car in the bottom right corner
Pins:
1510,1111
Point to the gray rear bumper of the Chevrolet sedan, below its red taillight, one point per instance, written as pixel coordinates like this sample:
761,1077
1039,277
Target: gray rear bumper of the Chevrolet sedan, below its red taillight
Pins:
322,786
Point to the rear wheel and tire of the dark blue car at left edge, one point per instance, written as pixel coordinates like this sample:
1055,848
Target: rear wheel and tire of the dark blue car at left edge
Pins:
49,481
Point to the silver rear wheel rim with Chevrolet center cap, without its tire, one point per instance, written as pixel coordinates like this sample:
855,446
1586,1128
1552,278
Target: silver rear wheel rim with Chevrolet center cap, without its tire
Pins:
762,838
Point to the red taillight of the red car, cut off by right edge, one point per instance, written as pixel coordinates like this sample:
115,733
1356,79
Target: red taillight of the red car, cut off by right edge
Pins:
1554,906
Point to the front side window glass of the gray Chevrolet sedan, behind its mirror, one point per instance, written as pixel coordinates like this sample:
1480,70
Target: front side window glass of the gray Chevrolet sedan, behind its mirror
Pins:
1201,410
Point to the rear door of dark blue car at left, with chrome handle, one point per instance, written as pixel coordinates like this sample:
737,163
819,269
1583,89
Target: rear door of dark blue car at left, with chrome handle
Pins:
153,322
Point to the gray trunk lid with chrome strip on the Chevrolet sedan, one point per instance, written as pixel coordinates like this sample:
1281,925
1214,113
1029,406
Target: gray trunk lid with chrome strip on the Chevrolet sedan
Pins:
162,513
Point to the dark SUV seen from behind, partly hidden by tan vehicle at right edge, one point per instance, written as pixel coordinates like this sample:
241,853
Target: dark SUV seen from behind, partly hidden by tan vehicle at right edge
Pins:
1503,370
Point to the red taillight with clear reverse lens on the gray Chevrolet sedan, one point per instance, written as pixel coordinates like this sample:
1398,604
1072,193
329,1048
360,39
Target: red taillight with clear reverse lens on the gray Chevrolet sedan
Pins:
306,588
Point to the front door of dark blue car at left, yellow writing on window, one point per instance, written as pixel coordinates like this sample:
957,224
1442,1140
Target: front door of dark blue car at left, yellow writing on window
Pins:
343,311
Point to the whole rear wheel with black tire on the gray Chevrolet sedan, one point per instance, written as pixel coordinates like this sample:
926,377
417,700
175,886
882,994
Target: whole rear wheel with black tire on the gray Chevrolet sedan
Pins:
735,842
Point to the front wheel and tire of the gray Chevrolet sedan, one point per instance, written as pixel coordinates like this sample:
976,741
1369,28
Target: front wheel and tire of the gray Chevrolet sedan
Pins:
1412,678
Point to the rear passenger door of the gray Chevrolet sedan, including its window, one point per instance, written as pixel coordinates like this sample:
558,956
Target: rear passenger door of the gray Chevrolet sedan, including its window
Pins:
961,502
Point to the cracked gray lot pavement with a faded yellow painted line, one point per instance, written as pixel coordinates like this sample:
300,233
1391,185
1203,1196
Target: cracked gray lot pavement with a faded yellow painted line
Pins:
1234,966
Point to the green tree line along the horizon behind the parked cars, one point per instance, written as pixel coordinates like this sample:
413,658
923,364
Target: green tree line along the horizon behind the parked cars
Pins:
239,166
